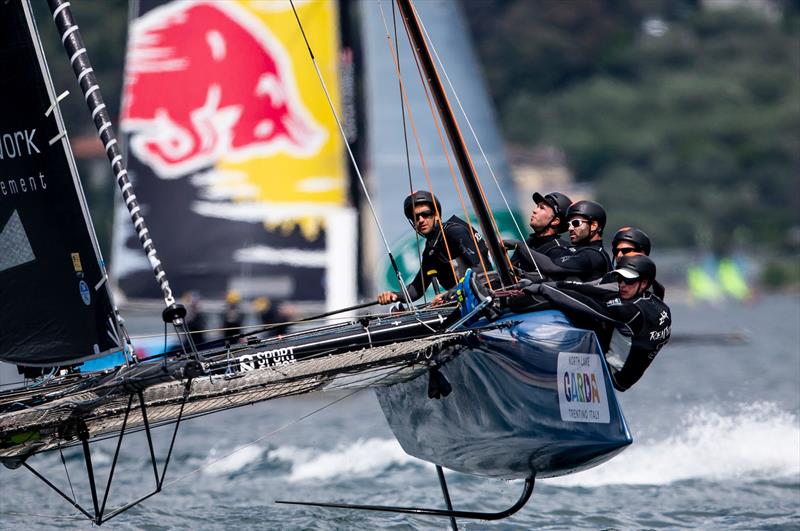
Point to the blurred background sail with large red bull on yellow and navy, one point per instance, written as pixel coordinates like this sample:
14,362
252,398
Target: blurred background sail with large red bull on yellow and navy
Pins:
234,151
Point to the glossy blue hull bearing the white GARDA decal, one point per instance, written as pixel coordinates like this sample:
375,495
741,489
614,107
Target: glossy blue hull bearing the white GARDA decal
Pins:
532,398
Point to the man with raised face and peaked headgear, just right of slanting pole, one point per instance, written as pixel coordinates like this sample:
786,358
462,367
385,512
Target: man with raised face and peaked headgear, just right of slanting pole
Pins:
548,220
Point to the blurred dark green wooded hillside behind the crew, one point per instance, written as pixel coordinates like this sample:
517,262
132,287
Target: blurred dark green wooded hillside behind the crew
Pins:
684,118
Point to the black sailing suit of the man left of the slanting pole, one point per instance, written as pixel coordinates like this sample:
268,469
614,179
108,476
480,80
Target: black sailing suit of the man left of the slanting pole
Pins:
434,256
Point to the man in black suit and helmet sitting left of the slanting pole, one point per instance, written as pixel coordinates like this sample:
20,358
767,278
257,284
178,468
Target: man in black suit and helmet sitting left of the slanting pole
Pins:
454,239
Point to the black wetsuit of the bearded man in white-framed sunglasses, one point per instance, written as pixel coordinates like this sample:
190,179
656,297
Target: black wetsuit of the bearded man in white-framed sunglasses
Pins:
584,262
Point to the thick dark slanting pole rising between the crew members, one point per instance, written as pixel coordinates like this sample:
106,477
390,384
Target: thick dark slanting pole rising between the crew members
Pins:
456,141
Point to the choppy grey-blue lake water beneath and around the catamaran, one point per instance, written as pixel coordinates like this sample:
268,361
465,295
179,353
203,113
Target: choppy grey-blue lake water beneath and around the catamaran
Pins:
716,431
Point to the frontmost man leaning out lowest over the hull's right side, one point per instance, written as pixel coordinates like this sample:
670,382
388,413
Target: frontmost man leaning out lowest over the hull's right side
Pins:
642,322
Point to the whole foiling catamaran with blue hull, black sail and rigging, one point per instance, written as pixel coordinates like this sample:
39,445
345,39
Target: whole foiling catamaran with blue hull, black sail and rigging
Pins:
487,387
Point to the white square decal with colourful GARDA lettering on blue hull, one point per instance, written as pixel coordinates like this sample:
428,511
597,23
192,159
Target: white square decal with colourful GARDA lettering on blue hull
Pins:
581,388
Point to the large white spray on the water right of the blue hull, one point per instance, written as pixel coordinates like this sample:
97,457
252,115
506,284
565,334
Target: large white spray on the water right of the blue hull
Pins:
755,442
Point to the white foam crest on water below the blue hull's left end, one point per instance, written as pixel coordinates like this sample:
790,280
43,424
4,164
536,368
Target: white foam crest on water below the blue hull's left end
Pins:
362,457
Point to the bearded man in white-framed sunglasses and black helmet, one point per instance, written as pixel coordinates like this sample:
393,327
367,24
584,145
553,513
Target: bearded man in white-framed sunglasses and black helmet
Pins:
587,260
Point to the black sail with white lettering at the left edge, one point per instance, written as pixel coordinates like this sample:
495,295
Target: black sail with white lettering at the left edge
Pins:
55,307
